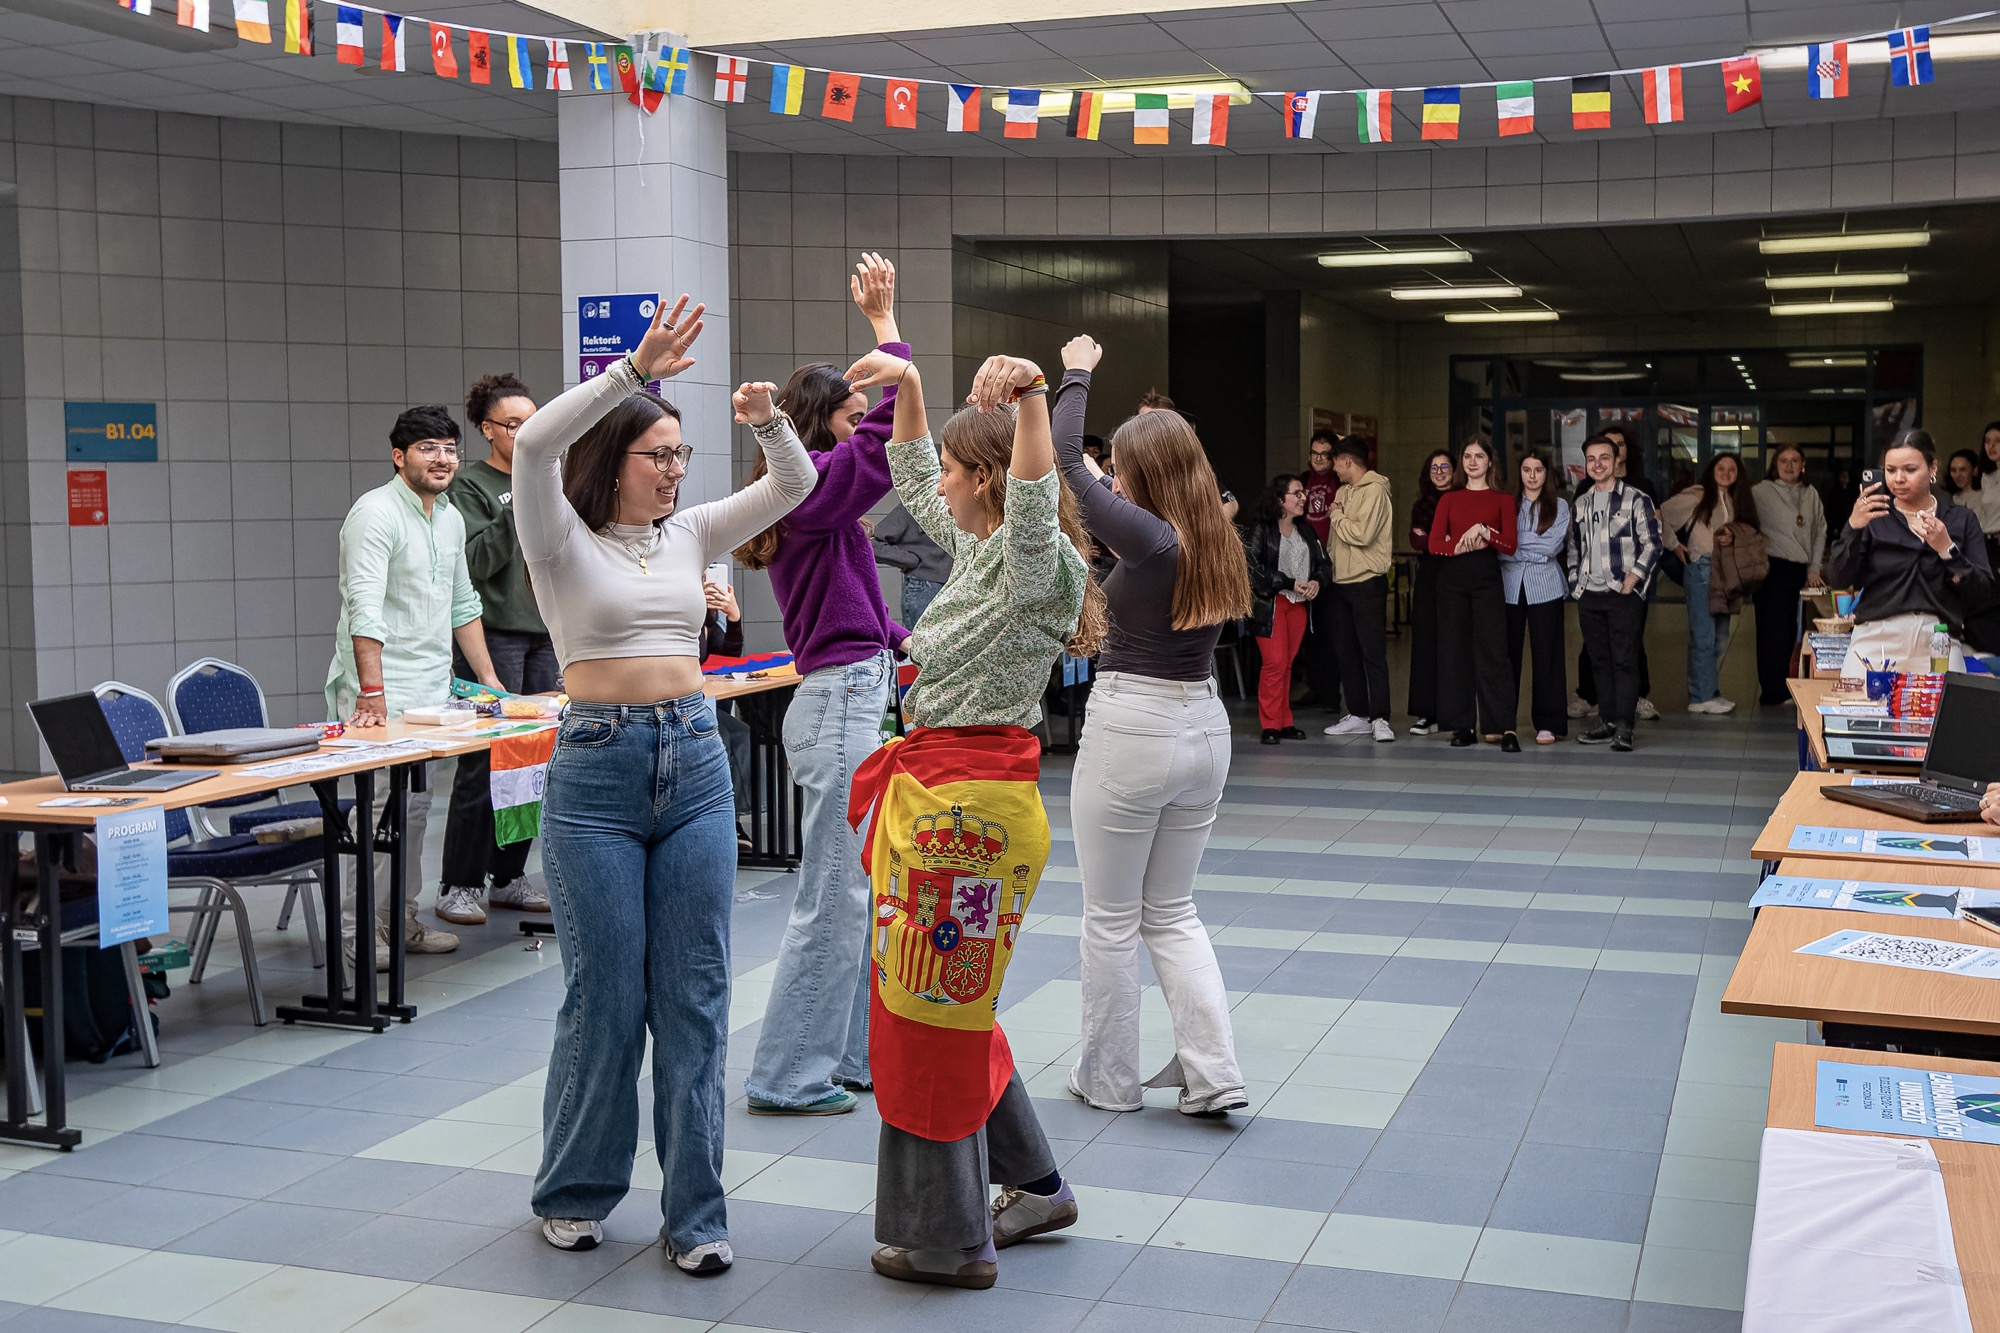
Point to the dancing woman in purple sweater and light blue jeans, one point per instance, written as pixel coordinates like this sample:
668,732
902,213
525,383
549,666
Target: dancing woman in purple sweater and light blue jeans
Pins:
815,1042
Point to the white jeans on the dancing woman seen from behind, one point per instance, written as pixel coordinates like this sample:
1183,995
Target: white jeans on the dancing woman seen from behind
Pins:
1143,798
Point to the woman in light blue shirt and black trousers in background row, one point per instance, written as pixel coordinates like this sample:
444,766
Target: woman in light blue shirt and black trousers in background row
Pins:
1537,595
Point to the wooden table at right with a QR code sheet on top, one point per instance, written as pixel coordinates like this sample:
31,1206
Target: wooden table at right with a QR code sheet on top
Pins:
1867,1004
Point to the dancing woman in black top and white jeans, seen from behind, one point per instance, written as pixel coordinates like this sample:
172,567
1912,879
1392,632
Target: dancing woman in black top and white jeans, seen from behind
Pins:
1155,754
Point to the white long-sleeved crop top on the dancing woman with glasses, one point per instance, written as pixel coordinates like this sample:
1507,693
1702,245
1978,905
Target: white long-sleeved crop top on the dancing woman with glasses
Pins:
589,585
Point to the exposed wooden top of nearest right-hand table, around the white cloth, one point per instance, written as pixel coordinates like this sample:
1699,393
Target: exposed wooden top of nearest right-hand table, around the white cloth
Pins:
1971,1170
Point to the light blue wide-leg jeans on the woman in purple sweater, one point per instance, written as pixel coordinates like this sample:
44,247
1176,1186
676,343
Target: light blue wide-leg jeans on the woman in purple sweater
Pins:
817,1022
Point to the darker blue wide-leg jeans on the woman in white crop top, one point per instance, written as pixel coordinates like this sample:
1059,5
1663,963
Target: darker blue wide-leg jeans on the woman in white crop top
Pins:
639,848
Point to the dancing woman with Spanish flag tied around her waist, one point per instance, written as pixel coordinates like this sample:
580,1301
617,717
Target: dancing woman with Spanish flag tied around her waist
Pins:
957,796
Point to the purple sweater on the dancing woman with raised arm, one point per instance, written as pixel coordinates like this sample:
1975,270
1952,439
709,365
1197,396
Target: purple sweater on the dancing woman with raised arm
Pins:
825,573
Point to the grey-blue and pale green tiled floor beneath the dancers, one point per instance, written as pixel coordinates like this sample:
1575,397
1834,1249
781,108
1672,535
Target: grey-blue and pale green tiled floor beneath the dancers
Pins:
1475,998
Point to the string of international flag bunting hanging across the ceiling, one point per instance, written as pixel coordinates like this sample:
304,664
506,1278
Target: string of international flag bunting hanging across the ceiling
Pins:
651,73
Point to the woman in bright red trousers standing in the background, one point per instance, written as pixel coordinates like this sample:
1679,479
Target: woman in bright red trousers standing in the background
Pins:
1287,571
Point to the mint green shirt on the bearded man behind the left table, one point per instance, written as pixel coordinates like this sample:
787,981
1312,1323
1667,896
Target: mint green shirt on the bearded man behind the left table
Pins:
403,581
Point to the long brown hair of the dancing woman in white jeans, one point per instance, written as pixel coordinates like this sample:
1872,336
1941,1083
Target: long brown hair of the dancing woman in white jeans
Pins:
1163,469
